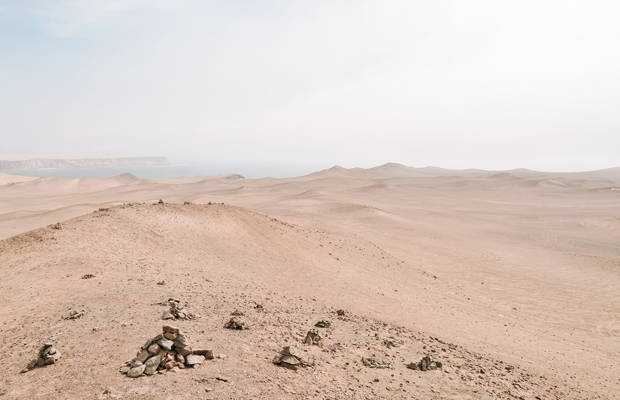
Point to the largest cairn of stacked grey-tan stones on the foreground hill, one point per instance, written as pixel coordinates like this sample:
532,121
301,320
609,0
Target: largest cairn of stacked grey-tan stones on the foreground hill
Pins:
169,351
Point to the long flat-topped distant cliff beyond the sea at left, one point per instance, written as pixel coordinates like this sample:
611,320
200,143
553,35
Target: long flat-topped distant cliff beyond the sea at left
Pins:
42,162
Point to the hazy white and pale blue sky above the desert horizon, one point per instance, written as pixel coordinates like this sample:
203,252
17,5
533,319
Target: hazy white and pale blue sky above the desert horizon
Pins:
312,84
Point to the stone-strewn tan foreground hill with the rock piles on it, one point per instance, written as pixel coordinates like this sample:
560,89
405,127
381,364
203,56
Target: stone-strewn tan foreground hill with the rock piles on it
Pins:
256,341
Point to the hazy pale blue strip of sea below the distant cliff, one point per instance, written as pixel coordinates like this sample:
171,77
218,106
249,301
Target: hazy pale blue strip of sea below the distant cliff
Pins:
164,171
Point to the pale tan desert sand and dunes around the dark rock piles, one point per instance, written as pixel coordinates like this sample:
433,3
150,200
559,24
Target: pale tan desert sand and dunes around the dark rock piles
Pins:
509,278
